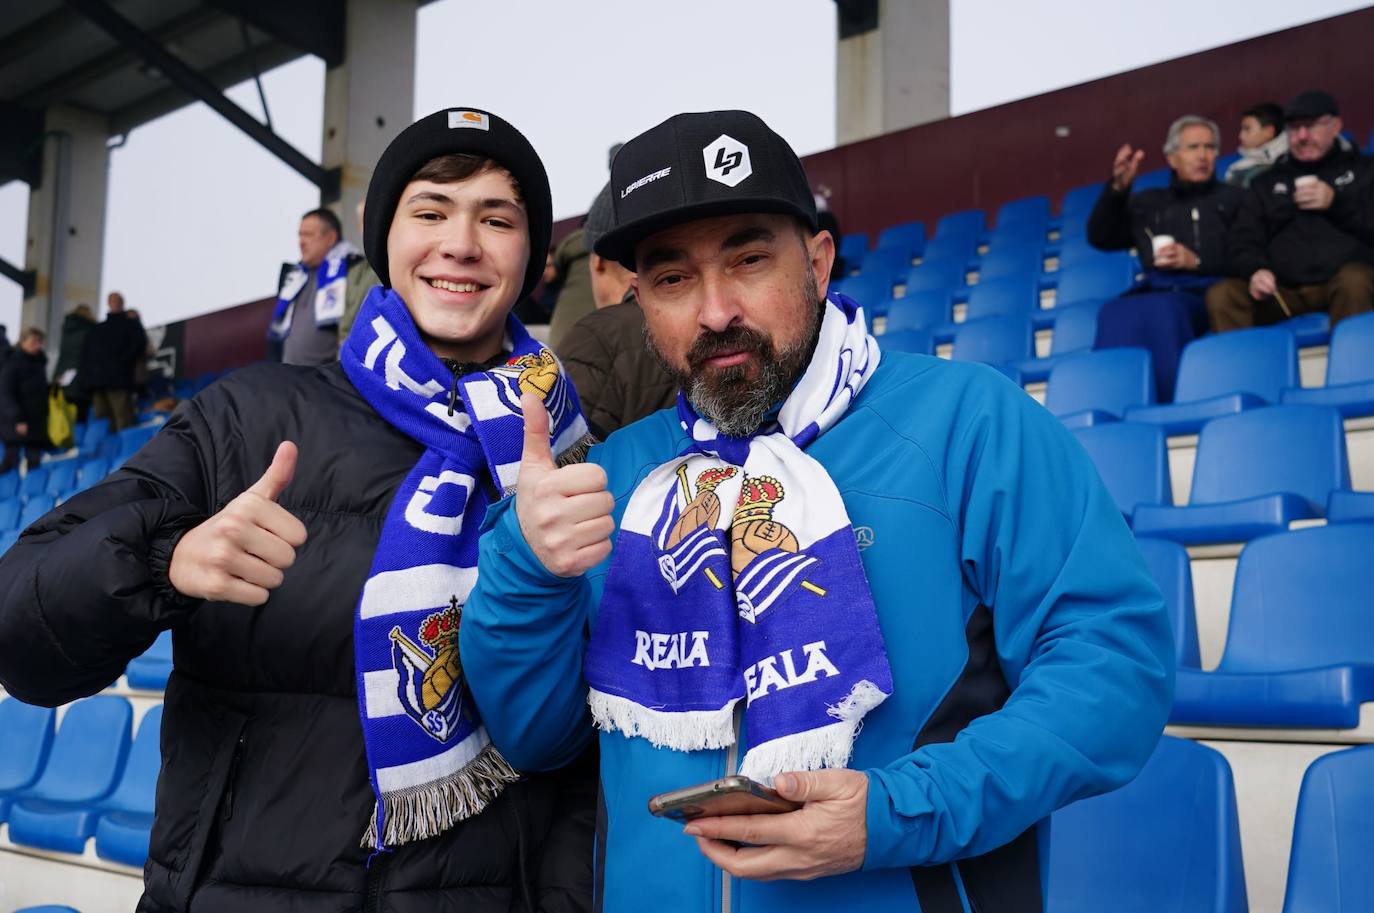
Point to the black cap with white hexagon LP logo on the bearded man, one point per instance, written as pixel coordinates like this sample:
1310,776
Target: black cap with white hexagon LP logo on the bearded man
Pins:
699,166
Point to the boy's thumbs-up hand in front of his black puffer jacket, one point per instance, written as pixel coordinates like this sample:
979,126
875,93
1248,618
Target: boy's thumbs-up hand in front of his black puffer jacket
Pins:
241,553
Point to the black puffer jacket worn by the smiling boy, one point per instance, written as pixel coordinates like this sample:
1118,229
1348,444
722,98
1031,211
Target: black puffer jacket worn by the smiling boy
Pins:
264,794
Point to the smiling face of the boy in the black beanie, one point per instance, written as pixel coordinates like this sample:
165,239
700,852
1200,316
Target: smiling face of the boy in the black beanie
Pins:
458,252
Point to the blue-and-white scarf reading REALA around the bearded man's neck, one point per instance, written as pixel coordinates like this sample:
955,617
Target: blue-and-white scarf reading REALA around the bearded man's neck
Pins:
737,575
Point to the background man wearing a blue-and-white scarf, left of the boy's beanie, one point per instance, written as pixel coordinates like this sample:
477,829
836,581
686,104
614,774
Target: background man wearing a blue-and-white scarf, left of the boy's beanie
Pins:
313,295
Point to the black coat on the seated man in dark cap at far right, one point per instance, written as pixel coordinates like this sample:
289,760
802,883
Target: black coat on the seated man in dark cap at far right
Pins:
1306,247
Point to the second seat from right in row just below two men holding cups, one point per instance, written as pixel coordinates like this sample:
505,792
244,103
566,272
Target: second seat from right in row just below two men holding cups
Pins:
1225,375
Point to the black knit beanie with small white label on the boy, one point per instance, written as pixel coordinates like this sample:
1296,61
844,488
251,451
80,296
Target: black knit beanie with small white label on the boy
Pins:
446,133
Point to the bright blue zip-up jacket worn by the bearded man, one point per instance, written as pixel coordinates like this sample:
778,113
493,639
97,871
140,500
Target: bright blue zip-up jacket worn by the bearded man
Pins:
1031,655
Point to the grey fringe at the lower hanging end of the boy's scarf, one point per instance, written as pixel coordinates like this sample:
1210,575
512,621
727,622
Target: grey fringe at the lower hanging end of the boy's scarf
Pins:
432,809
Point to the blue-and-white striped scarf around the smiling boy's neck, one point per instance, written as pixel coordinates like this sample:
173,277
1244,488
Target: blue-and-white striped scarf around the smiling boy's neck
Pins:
429,757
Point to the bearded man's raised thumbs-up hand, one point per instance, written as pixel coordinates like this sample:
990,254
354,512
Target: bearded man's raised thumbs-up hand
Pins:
564,512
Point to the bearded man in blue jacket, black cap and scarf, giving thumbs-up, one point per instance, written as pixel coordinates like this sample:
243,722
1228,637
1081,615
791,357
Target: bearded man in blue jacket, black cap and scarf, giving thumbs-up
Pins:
891,586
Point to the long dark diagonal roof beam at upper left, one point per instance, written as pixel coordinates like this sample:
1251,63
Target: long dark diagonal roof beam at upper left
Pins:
200,87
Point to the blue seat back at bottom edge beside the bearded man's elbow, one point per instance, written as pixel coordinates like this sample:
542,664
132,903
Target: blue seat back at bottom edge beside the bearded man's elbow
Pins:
1169,842
